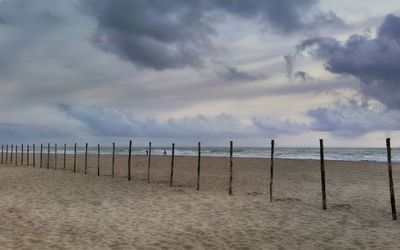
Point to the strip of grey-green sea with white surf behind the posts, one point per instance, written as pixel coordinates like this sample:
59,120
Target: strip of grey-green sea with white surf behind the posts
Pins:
348,154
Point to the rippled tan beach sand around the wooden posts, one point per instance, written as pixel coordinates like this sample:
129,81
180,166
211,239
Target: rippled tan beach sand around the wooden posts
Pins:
59,209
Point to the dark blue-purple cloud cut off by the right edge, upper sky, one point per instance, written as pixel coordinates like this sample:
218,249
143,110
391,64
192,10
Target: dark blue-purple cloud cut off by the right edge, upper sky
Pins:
376,62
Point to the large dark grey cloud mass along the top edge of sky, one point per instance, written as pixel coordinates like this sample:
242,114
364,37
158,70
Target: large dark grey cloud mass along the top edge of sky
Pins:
175,34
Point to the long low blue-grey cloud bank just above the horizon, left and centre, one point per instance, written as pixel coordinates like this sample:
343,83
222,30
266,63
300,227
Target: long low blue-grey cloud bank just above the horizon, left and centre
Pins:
100,121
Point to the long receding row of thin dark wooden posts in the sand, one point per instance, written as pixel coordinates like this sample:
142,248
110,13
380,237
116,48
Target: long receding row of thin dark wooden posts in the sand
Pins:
322,165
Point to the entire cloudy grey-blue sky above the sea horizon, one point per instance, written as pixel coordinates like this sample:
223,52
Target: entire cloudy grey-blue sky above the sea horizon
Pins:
184,71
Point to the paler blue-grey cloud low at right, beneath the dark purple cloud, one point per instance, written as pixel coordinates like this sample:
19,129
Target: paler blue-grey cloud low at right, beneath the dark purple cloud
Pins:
352,119
